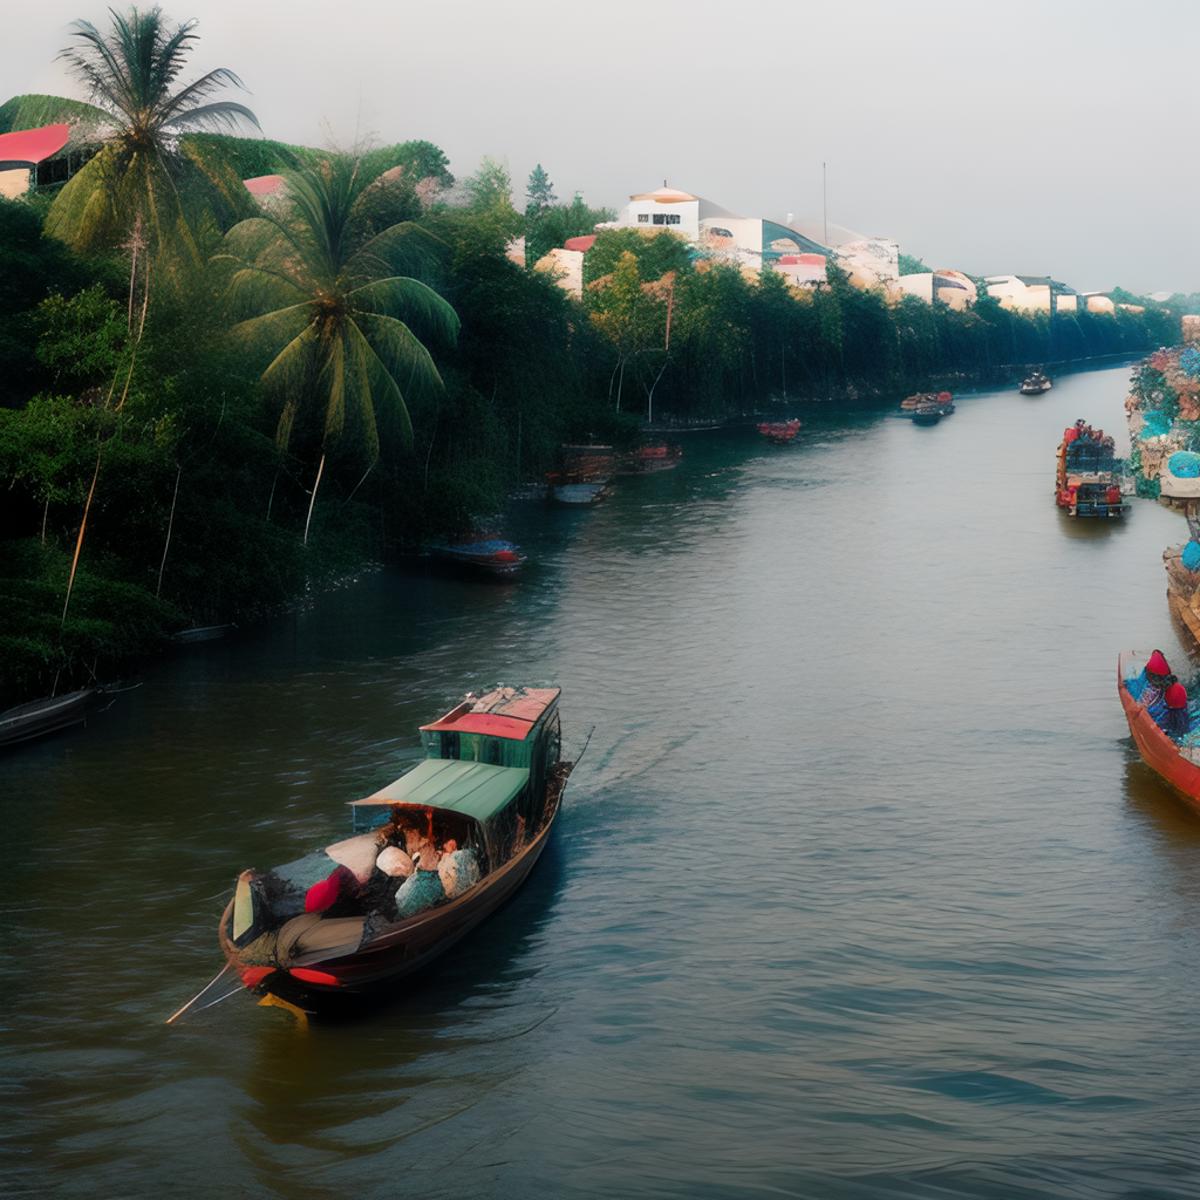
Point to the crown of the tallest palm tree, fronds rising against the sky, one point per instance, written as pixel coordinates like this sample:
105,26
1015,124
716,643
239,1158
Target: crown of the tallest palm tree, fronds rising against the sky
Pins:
140,184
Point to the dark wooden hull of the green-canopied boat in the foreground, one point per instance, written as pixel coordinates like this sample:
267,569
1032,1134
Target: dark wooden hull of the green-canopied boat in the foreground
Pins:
371,971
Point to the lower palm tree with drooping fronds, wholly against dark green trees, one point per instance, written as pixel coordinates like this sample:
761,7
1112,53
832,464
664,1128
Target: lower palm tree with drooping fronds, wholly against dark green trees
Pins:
326,297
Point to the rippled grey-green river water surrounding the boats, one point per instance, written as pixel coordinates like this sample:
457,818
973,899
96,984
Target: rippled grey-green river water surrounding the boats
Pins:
860,891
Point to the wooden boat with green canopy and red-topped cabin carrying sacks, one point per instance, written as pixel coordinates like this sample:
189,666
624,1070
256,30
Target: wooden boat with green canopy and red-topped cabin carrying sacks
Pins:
493,781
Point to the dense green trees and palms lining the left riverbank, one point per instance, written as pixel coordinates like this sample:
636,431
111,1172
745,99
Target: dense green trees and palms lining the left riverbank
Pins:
213,405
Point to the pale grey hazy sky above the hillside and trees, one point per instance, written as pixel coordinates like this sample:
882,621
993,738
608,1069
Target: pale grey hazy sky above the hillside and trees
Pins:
1055,136
